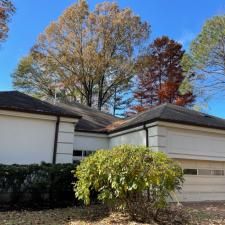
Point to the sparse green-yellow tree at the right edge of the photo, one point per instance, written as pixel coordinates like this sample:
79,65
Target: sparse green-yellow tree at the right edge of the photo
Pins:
207,56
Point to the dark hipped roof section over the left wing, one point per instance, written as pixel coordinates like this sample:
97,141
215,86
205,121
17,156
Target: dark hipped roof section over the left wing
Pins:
17,101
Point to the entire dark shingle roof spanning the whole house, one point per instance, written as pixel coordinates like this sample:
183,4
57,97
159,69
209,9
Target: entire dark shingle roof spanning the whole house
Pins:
92,120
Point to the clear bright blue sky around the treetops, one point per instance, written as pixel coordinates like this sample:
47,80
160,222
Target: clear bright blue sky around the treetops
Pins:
179,19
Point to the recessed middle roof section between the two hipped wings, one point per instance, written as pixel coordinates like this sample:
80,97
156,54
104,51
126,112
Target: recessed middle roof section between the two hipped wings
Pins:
92,119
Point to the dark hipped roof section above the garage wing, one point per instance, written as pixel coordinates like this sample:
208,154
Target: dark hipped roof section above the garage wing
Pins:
172,113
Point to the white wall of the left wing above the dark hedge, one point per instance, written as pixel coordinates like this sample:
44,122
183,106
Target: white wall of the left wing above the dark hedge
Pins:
27,138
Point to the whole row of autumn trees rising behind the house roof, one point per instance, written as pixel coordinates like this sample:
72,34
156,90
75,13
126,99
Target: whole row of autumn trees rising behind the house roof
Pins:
103,58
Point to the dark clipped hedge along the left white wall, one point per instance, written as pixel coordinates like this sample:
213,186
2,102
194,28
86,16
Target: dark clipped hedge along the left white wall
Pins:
44,185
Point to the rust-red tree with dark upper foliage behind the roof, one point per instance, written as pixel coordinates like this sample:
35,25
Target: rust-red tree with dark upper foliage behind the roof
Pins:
160,76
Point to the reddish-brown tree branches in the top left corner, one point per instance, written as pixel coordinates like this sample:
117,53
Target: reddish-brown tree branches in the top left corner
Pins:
6,11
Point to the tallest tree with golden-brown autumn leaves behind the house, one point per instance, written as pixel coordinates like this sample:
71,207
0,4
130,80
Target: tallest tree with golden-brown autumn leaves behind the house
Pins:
91,52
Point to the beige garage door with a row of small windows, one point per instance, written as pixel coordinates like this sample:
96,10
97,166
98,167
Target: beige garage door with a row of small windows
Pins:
204,181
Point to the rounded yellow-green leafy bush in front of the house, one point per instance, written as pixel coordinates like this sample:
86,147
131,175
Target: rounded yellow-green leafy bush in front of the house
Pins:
131,177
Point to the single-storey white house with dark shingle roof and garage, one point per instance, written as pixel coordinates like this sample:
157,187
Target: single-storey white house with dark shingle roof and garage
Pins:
32,131
